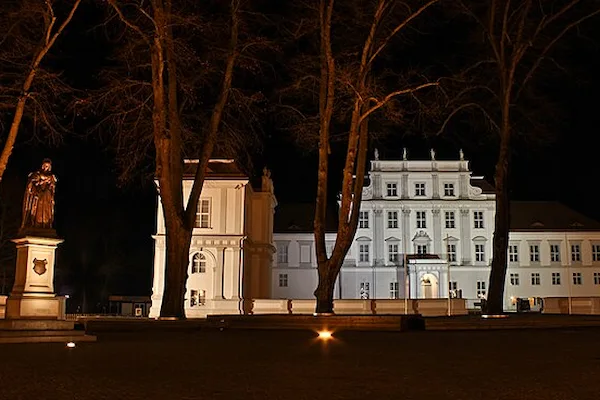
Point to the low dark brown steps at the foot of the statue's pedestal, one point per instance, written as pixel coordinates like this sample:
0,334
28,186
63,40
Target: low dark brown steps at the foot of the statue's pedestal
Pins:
41,331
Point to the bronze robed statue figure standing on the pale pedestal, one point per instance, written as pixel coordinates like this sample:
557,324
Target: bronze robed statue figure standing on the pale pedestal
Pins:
38,204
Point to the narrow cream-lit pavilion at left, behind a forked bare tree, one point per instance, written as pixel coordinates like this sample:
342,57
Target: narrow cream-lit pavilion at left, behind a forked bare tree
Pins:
232,244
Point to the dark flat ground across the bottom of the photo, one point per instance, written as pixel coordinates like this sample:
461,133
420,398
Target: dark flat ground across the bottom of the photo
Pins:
240,364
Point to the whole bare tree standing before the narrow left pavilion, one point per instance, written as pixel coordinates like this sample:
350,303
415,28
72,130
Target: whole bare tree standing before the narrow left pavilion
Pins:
162,101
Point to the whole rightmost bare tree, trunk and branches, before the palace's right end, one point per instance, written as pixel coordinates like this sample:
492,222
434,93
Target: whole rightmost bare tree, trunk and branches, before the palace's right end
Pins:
518,39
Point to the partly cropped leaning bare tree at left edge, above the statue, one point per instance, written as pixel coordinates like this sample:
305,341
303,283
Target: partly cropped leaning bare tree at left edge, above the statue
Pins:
30,28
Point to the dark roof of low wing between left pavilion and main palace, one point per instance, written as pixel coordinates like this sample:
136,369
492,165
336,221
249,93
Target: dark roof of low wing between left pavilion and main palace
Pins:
299,218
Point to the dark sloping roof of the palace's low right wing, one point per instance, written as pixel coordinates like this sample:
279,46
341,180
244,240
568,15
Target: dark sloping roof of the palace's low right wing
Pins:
548,216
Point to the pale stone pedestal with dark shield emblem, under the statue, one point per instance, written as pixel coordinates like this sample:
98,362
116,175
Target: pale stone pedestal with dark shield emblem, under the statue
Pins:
33,296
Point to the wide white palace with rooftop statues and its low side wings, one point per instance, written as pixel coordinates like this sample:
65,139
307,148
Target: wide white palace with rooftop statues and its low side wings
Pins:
437,219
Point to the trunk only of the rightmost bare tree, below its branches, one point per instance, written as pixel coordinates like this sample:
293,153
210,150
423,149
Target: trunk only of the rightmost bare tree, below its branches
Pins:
495,298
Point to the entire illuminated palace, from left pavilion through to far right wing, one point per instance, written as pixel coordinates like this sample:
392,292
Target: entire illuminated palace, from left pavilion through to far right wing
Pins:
425,231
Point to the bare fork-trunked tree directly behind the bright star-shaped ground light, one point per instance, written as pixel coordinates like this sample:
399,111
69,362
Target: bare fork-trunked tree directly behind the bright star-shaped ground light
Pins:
351,86
